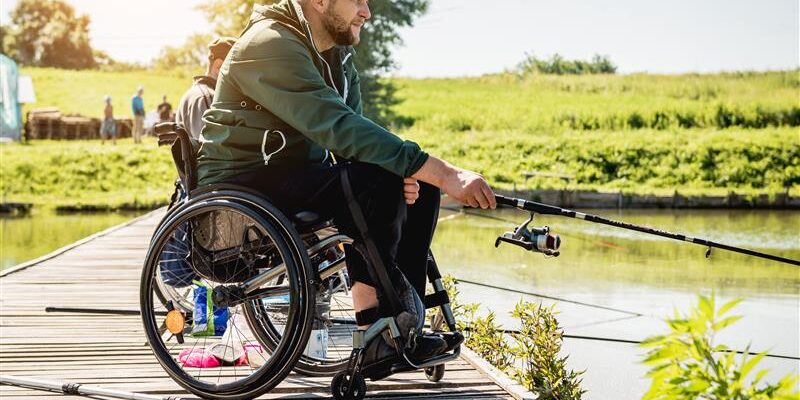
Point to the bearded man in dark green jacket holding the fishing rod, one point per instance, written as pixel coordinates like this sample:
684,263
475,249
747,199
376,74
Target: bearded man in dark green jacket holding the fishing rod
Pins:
287,121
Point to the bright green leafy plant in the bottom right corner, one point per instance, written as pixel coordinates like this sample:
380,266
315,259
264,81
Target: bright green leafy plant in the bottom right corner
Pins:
687,364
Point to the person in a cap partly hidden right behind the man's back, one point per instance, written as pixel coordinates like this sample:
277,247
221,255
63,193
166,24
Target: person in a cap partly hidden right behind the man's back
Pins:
199,97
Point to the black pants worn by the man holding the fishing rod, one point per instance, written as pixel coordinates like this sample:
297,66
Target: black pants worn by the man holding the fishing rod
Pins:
401,233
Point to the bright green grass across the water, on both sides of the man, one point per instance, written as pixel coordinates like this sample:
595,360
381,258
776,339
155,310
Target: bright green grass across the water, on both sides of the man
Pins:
647,134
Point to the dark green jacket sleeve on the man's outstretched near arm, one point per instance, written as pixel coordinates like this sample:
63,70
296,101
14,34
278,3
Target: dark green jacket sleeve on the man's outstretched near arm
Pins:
280,75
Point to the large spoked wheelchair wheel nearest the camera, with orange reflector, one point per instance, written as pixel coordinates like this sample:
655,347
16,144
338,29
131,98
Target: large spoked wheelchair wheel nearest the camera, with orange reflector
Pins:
242,255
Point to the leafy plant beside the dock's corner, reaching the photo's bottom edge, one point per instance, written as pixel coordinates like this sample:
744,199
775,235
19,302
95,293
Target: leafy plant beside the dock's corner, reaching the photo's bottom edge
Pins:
537,346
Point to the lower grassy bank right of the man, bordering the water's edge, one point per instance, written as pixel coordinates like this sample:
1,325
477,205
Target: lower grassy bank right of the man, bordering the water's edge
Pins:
644,161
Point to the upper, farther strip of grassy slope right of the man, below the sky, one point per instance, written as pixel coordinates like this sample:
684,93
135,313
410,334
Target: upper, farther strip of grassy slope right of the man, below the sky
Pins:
553,103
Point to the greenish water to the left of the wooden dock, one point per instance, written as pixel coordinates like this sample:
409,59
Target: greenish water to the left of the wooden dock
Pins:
24,238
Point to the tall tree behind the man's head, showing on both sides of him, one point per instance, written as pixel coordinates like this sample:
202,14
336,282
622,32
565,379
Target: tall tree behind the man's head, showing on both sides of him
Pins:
373,55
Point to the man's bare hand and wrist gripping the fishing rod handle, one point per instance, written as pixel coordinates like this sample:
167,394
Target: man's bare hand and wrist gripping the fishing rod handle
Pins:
467,187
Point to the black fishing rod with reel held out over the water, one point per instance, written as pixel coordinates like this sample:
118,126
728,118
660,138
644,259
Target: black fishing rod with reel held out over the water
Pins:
542,241
